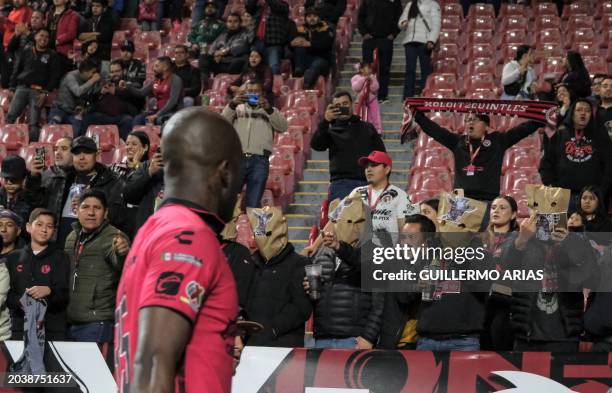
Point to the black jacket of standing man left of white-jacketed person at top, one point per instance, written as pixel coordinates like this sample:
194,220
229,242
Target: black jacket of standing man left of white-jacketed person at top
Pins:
379,18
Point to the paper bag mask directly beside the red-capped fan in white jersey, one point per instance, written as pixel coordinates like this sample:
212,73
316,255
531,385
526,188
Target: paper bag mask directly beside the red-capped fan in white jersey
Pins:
348,217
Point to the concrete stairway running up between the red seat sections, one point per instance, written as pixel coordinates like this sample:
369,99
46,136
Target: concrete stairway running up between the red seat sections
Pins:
312,190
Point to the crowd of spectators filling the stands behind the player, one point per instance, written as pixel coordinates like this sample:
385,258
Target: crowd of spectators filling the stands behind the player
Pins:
67,228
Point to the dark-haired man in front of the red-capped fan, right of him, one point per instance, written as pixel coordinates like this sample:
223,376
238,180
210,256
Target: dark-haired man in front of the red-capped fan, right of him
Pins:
400,312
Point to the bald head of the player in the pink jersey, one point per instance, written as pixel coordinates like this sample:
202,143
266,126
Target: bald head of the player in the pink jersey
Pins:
202,155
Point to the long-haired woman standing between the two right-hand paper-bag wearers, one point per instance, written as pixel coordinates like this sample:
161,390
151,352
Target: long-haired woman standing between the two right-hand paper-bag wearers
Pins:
501,234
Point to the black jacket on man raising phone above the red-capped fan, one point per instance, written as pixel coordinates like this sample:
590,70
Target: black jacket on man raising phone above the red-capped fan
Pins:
346,143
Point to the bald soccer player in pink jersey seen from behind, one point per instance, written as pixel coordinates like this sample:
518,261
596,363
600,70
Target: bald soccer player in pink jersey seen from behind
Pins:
177,302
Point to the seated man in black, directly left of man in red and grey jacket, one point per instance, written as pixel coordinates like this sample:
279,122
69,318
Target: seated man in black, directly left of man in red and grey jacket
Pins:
111,105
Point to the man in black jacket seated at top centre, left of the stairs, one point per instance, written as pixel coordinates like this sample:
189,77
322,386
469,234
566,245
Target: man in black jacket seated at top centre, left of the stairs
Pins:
312,49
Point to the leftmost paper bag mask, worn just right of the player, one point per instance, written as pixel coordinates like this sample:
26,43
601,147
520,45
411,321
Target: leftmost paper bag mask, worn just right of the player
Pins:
270,230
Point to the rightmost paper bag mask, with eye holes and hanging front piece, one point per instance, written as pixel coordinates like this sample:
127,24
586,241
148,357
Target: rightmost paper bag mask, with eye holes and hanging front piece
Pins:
550,204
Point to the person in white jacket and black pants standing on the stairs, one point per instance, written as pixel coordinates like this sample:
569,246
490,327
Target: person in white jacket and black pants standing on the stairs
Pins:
421,19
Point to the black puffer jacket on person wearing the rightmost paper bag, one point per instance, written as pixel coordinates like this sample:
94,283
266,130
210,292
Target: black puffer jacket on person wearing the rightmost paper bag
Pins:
572,258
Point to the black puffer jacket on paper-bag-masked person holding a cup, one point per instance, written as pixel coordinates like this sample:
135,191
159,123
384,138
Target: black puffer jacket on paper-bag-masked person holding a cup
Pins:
343,309
